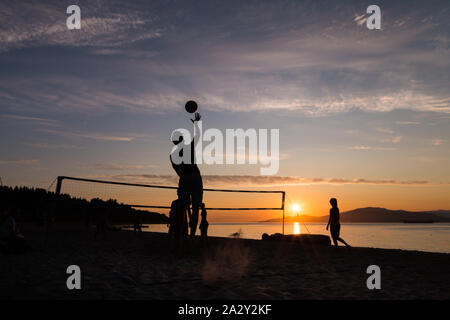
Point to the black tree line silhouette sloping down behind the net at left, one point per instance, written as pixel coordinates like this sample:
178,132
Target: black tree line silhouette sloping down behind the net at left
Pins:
34,205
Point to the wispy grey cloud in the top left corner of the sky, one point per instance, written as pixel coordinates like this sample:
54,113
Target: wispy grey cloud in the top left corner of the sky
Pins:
28,24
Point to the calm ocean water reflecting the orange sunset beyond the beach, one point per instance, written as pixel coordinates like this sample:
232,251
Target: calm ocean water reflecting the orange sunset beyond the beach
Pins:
432,237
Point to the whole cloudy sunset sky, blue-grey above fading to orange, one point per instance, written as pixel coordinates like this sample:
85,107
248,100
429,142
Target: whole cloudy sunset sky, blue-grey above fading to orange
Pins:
363,114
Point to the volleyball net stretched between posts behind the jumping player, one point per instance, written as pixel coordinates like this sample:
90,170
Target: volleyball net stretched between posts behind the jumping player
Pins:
149,196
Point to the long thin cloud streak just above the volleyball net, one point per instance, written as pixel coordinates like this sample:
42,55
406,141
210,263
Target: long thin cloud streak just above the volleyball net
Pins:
232,181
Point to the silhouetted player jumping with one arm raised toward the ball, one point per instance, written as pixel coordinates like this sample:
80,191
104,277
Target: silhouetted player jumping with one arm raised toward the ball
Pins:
190,185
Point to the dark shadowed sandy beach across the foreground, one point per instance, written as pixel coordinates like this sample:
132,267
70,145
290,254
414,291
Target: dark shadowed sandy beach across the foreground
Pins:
125,266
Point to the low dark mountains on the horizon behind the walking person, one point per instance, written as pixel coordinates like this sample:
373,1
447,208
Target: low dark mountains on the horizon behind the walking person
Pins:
371,214
